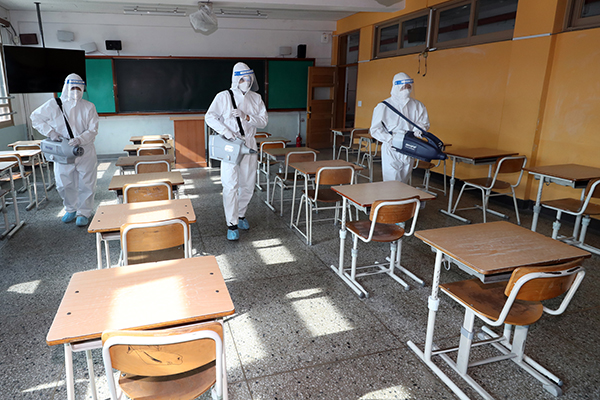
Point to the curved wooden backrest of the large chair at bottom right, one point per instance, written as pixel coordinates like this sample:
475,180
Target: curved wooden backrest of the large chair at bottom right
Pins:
543,282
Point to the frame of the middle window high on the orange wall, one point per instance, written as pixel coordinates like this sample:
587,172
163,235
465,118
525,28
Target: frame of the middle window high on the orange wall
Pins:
472,38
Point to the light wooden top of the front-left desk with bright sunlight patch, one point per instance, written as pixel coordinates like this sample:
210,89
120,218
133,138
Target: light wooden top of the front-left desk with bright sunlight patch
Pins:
143,296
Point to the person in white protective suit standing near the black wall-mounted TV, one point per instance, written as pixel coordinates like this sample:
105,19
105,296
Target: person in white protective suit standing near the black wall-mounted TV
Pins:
76,183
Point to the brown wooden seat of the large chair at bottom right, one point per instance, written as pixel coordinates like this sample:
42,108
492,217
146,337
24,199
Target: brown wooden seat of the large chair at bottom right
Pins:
488,299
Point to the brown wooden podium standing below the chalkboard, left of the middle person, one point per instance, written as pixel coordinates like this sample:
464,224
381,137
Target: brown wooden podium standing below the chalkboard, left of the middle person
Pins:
190,148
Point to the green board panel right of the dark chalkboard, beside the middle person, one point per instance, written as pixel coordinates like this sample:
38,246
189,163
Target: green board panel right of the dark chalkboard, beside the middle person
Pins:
288,81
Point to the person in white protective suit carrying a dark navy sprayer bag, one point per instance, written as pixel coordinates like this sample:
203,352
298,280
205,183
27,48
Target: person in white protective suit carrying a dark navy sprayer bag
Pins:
386,123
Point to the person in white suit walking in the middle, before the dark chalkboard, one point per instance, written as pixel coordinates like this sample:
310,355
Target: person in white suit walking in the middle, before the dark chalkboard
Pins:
238,179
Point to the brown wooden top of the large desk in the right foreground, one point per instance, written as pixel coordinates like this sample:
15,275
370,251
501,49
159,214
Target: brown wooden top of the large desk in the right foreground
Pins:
498,247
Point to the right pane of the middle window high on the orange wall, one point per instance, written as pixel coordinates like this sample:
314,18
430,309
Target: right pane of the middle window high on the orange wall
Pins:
495,16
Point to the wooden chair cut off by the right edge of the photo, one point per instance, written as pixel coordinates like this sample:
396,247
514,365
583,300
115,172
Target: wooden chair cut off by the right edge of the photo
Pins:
578,208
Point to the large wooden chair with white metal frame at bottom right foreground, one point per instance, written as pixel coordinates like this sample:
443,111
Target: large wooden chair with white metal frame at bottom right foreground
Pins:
517,304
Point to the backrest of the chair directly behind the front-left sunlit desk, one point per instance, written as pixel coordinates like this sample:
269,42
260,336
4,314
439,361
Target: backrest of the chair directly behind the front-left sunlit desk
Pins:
155,241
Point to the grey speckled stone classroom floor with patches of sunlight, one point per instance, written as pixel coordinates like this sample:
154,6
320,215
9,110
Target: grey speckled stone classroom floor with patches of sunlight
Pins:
298,332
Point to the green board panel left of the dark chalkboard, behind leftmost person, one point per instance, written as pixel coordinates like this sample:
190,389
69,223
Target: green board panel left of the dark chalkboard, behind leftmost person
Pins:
100,84
